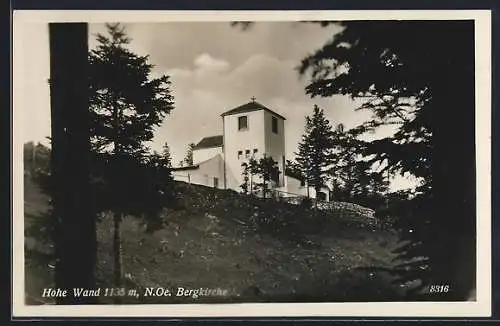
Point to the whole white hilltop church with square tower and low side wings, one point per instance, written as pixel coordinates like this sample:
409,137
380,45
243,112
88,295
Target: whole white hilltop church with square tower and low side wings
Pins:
249,130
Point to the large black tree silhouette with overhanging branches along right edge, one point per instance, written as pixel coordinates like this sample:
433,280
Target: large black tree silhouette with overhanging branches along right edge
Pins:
419,75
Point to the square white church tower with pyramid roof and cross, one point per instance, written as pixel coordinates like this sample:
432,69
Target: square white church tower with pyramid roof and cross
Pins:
251,130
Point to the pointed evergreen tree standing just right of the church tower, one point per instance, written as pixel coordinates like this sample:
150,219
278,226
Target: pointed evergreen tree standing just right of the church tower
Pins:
315,149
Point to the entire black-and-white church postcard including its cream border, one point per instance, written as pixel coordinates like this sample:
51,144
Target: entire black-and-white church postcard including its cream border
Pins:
279,164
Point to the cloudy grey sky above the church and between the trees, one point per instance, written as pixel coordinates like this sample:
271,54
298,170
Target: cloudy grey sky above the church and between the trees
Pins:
213,68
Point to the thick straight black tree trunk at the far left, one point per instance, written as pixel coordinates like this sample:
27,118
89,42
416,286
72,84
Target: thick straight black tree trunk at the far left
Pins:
75,238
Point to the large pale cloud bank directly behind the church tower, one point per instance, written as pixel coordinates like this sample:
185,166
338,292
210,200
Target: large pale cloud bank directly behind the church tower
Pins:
202,94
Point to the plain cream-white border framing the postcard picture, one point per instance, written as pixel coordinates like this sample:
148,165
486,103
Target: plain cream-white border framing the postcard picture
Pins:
480,308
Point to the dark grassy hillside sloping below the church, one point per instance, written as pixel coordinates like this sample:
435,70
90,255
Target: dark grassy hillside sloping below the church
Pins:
220,239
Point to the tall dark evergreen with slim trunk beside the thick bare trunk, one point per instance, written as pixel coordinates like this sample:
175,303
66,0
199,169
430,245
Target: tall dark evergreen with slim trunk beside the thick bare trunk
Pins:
126,104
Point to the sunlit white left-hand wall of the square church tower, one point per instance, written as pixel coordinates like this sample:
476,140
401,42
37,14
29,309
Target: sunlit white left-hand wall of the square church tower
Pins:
241,140
